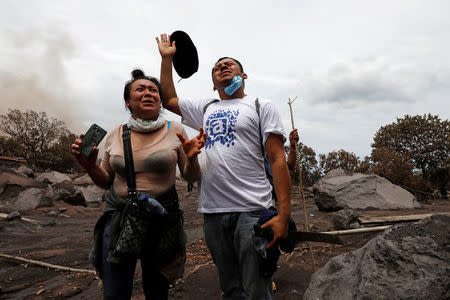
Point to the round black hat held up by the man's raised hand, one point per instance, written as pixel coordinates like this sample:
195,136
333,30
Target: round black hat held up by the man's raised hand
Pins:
185,60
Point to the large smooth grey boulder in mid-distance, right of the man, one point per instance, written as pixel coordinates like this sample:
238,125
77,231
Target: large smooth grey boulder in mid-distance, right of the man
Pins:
339,189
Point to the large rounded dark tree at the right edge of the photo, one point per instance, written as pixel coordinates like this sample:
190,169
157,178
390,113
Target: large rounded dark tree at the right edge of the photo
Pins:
424,140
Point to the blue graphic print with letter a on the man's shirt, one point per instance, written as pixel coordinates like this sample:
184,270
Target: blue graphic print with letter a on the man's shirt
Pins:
220,127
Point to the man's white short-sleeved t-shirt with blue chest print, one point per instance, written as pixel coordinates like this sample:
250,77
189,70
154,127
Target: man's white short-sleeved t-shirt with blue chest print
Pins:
232,166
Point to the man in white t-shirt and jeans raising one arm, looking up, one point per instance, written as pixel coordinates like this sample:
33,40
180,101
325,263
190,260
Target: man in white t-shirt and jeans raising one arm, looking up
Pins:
233,189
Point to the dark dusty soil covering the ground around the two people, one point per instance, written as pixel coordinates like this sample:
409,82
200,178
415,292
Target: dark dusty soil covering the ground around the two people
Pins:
65,240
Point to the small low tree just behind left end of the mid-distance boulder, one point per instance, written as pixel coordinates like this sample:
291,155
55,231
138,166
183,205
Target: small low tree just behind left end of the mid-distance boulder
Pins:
338,160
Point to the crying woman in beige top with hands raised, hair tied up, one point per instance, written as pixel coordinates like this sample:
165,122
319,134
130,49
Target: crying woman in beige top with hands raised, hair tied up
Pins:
157,147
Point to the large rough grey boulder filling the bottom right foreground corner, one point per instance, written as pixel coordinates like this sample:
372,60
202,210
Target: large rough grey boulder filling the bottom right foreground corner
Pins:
406,262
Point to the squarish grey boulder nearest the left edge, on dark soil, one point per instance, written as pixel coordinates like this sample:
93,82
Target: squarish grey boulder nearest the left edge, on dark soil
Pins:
33,198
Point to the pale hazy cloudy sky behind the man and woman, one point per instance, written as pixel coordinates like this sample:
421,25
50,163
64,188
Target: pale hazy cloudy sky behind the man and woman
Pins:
354,65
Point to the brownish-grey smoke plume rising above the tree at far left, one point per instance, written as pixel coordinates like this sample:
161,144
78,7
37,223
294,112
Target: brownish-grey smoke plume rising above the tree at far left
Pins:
33,74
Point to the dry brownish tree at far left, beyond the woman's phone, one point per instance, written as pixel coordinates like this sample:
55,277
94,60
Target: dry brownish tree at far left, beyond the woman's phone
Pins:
34,133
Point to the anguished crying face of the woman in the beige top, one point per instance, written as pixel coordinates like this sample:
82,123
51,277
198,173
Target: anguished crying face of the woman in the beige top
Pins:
144,101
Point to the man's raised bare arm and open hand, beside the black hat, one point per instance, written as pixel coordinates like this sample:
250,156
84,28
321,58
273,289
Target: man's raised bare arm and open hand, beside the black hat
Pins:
169,94
